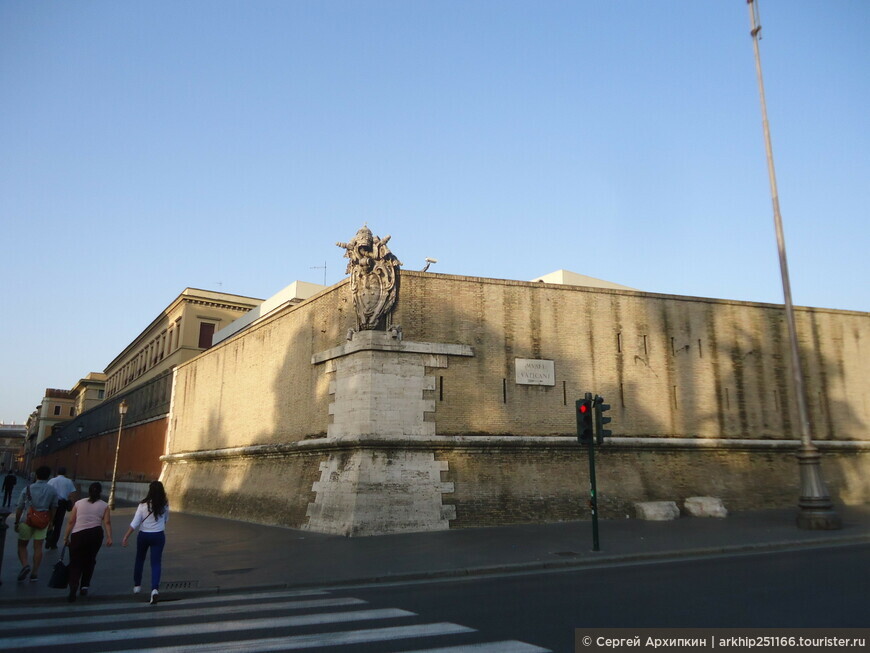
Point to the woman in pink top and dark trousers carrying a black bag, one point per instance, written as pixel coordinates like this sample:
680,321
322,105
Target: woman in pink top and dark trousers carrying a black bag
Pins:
84,536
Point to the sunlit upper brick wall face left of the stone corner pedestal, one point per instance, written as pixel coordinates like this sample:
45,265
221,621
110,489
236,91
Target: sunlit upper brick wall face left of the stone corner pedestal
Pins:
260,387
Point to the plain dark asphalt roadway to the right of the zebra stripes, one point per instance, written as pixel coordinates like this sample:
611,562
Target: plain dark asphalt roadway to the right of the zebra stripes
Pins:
816,588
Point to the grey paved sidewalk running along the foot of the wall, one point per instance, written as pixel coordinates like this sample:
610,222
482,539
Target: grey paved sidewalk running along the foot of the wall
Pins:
211,555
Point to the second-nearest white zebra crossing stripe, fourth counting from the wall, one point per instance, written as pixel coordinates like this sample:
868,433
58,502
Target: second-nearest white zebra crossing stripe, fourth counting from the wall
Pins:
316,640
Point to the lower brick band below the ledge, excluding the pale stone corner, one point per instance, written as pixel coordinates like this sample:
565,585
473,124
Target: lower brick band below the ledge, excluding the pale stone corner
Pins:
503,484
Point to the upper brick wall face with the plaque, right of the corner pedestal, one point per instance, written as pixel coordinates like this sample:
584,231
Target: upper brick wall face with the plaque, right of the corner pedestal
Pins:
669,366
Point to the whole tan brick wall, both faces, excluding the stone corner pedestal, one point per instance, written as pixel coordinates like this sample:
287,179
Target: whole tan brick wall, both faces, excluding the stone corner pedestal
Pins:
671,367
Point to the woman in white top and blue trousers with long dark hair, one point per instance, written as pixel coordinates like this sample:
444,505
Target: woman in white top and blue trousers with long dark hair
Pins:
150,518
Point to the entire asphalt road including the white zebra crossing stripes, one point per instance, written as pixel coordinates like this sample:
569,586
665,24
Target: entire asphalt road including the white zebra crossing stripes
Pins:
512,613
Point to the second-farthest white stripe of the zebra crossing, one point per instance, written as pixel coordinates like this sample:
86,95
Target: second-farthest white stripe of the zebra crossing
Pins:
189,612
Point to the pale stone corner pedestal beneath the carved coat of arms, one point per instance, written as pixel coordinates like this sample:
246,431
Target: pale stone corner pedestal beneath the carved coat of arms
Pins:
384,400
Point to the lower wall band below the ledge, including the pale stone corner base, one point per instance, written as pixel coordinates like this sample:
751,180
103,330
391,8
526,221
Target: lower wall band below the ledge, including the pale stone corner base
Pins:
489,480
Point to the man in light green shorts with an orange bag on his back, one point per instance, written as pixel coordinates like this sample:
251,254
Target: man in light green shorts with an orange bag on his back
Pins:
37,504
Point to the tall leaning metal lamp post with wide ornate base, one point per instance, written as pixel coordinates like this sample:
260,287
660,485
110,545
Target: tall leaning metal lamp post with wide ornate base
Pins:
816,511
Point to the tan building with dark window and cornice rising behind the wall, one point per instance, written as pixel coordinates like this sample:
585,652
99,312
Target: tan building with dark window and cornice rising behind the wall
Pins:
183,330
